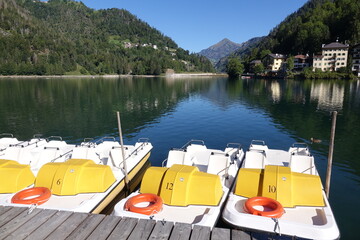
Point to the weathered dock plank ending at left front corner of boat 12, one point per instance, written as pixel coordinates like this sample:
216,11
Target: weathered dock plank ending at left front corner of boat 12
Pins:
104,229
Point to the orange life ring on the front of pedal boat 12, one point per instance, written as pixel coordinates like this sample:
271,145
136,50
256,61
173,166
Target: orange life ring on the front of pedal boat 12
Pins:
155,204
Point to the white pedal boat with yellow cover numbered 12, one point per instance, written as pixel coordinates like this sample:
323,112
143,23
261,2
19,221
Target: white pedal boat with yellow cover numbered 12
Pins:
191,187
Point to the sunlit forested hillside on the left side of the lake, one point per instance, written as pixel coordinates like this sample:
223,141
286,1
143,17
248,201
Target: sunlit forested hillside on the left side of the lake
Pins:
66,37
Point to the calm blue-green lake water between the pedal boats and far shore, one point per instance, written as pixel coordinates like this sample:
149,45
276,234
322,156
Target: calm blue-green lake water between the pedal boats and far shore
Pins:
217,110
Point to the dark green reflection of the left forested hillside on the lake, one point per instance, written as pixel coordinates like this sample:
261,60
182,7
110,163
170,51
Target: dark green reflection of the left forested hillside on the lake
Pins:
79,108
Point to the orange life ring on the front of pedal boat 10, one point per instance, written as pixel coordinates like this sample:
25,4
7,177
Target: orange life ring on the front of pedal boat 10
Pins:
276,211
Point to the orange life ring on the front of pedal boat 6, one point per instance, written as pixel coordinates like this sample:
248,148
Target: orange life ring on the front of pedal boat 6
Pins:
35,195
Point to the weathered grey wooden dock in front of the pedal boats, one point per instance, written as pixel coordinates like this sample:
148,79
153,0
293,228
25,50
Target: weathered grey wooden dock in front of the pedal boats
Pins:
18,223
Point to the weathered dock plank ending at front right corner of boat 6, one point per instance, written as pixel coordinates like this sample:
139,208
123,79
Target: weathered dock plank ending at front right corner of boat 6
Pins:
86,227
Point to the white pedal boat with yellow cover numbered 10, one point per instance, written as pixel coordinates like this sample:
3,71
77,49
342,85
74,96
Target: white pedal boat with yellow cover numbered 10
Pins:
289,178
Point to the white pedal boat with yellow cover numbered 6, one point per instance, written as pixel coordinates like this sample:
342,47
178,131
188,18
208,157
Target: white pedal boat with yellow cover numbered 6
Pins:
92,177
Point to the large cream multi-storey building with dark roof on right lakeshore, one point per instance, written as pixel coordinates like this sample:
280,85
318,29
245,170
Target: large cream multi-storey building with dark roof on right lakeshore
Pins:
334,56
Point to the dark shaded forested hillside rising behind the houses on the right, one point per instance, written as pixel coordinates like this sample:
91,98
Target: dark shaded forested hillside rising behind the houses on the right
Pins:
317,22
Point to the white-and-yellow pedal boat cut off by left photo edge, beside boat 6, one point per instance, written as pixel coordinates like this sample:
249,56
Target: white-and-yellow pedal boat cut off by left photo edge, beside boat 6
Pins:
21,161
